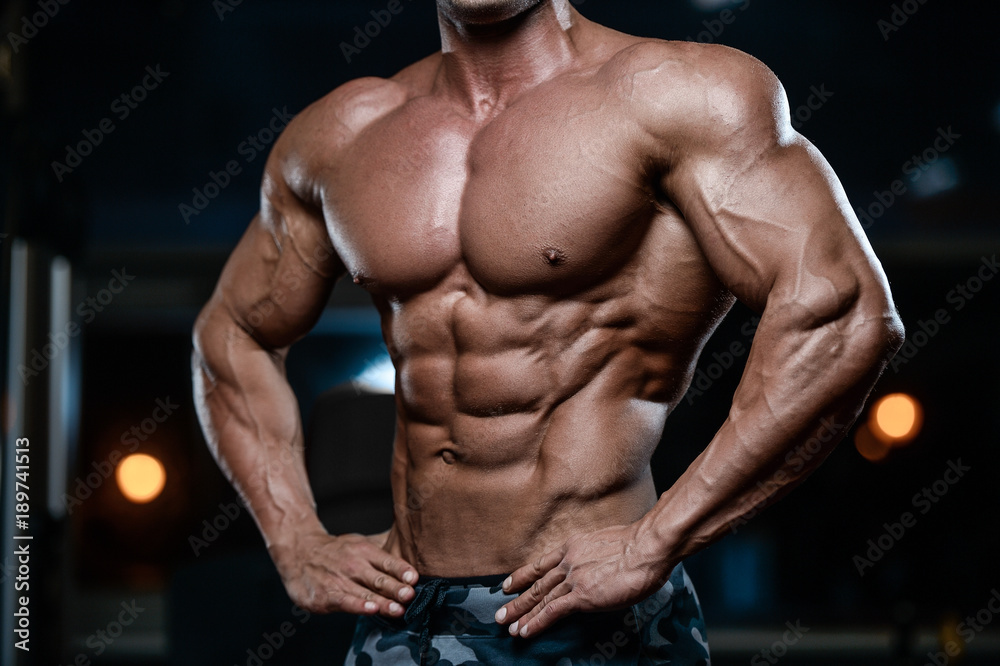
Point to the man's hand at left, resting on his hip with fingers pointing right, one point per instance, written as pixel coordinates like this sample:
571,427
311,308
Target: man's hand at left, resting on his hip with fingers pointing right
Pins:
351,573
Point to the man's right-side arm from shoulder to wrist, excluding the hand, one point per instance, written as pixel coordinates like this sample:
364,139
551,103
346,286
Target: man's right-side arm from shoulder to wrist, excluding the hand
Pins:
774,222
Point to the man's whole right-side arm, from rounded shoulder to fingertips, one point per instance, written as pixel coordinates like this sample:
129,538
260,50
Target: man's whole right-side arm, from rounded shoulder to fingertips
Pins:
773,221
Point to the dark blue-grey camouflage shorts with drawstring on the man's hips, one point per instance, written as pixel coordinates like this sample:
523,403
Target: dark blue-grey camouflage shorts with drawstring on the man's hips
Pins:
450,622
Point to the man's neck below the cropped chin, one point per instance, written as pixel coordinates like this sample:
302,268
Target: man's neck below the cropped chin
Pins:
490,57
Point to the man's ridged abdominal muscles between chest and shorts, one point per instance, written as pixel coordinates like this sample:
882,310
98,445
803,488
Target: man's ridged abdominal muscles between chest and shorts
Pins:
521,421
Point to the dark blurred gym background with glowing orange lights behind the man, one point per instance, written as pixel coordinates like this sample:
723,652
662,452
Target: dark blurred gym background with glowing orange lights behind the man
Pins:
132,141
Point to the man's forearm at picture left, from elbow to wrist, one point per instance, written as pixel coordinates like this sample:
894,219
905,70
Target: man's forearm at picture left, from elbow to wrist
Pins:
251,421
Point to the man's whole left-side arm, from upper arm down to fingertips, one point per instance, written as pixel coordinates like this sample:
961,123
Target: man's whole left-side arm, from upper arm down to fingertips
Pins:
271,292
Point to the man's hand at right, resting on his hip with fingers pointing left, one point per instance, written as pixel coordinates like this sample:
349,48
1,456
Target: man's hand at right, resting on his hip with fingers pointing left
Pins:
595,571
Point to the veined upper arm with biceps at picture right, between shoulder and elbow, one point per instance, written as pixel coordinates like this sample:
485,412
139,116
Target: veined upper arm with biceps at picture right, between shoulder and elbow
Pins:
778,227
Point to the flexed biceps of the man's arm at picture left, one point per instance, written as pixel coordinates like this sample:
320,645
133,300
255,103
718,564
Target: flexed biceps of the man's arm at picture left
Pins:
278,280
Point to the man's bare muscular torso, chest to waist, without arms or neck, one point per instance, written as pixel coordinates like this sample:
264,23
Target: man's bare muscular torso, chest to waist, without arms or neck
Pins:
542,302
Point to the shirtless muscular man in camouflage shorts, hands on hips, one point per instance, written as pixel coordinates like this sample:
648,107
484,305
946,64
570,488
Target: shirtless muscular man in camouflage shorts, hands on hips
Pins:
551,217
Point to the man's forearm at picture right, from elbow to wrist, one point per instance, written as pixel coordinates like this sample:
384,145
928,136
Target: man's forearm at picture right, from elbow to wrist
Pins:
803,387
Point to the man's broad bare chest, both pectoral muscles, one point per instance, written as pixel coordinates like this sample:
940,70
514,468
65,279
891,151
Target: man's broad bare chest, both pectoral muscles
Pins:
546,197
